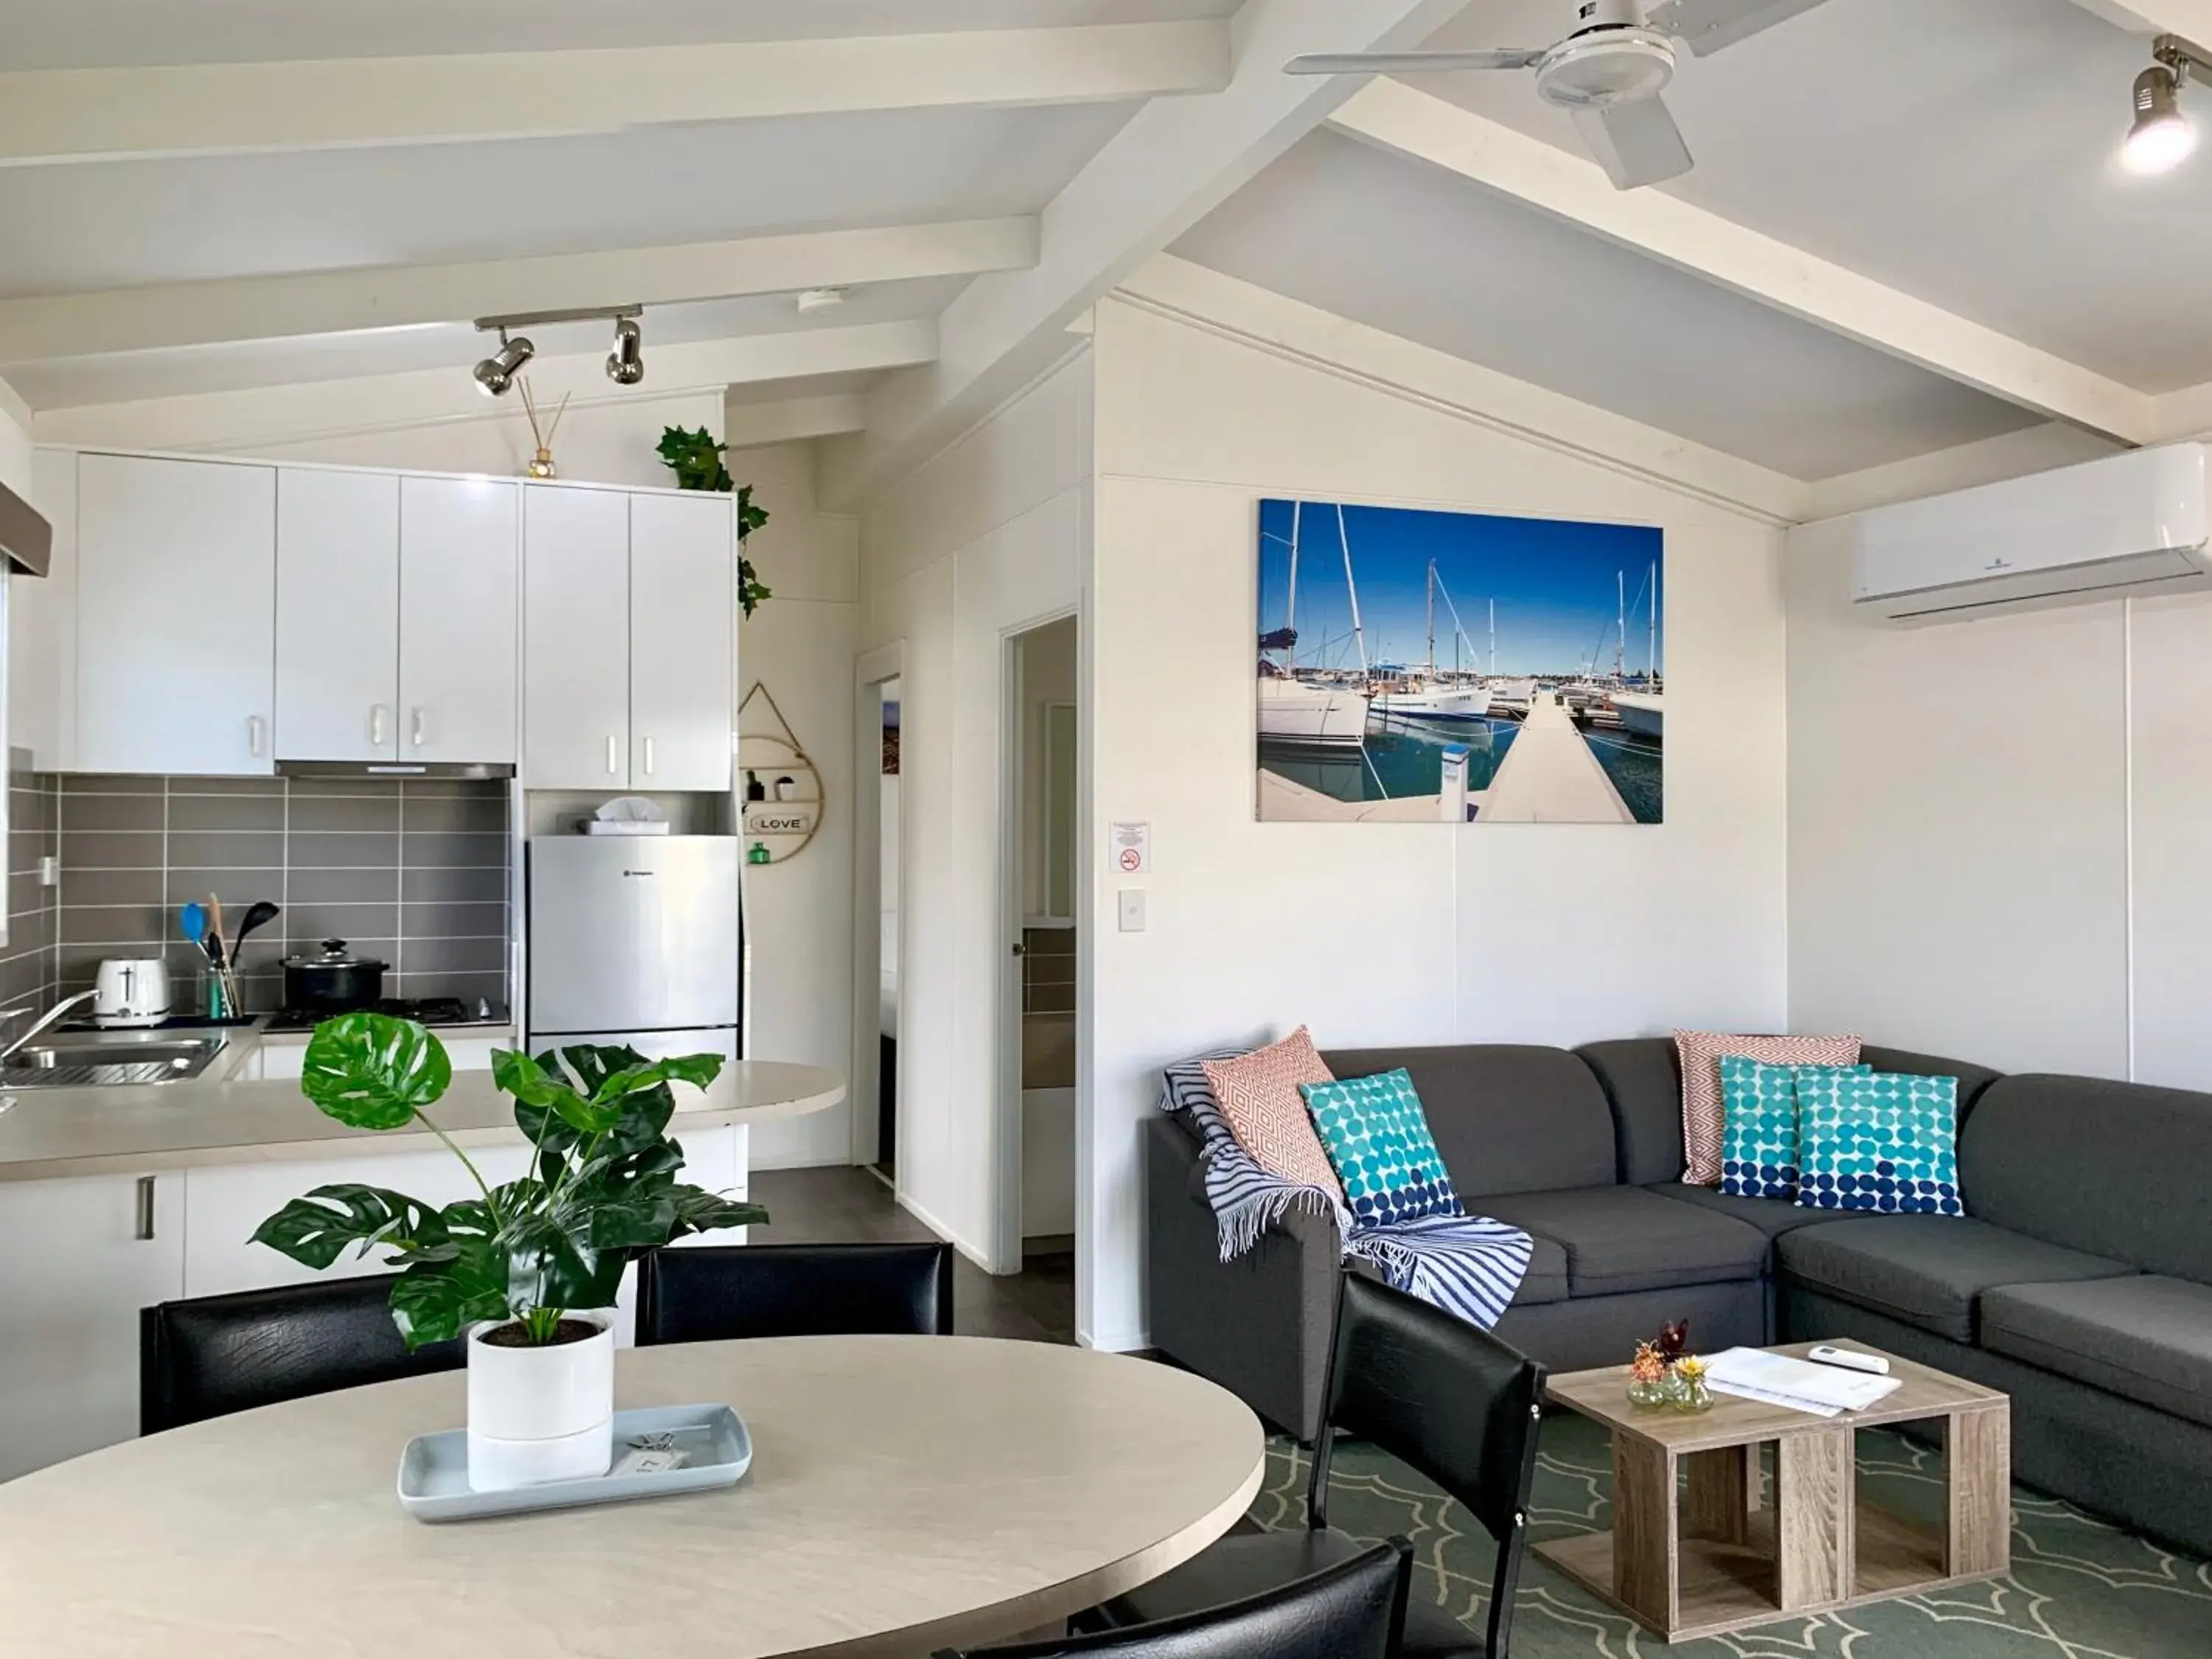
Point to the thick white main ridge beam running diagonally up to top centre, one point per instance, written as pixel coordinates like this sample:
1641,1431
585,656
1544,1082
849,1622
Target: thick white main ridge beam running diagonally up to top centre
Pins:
1149,185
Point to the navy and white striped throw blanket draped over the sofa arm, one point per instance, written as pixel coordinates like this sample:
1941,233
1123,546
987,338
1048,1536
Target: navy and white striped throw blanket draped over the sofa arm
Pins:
1468,1266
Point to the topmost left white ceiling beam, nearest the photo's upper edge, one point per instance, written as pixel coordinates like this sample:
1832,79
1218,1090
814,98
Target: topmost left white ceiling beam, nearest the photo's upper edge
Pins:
54,116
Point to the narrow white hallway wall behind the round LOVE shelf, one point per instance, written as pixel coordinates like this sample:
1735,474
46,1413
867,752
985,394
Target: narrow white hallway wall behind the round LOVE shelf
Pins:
800,645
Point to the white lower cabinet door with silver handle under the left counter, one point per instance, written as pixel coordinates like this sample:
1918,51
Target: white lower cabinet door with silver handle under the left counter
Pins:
85,1258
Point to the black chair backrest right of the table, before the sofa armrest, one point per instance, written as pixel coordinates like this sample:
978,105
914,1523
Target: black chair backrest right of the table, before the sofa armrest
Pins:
1446,1399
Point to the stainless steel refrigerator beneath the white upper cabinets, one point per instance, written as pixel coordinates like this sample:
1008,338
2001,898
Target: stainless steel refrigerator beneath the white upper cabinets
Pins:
634,939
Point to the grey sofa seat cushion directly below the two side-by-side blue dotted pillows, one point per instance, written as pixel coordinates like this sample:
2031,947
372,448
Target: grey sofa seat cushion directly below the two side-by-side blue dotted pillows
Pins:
1928,1271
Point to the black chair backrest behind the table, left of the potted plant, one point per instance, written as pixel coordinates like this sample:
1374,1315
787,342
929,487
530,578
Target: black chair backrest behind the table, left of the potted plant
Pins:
218,1355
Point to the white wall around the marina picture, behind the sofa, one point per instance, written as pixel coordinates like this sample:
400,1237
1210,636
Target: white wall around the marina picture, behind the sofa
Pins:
1386,932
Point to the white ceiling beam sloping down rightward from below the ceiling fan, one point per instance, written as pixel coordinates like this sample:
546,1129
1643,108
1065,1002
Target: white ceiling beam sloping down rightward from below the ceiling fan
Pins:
1746,262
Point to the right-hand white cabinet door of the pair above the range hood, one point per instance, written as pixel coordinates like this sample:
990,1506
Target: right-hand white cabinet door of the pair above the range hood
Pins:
461,598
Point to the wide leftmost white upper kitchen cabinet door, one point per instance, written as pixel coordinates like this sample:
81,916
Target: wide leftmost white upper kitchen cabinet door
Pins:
176,616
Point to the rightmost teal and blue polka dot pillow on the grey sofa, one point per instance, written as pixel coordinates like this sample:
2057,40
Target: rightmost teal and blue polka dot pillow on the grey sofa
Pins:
1879,1142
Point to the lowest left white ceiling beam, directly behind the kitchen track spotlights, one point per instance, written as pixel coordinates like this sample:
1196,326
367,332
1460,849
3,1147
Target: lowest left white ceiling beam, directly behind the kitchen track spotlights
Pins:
269,417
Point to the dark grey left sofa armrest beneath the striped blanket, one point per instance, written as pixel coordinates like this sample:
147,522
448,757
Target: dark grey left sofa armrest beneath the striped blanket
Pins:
1258,1326
